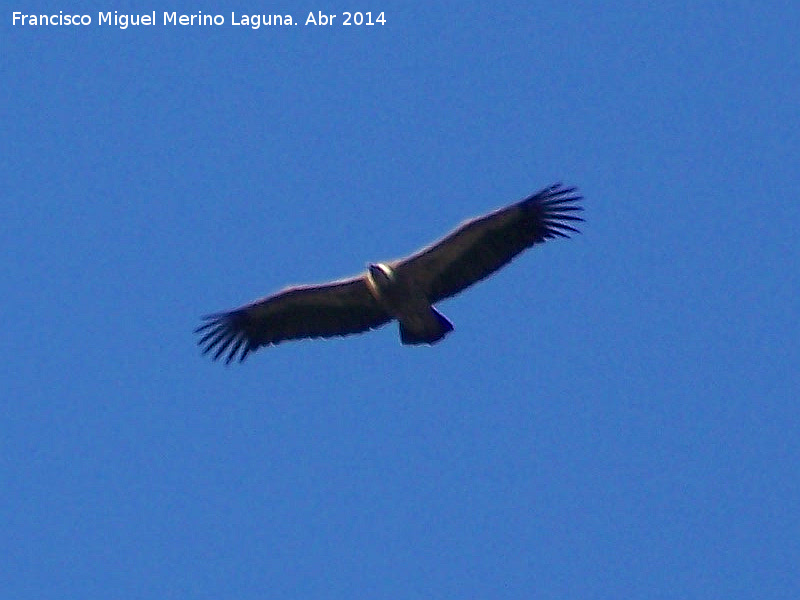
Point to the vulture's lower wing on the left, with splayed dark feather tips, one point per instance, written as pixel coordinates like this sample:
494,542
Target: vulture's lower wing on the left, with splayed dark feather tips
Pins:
310,311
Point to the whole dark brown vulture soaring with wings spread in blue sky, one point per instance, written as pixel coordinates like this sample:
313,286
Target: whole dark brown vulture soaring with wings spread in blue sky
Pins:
403,289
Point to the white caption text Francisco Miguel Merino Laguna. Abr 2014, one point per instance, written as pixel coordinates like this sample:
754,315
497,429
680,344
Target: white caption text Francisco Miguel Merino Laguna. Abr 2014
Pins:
172,18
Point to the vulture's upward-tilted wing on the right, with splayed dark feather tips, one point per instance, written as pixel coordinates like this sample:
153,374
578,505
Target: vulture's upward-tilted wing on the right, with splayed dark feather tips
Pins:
481,246
